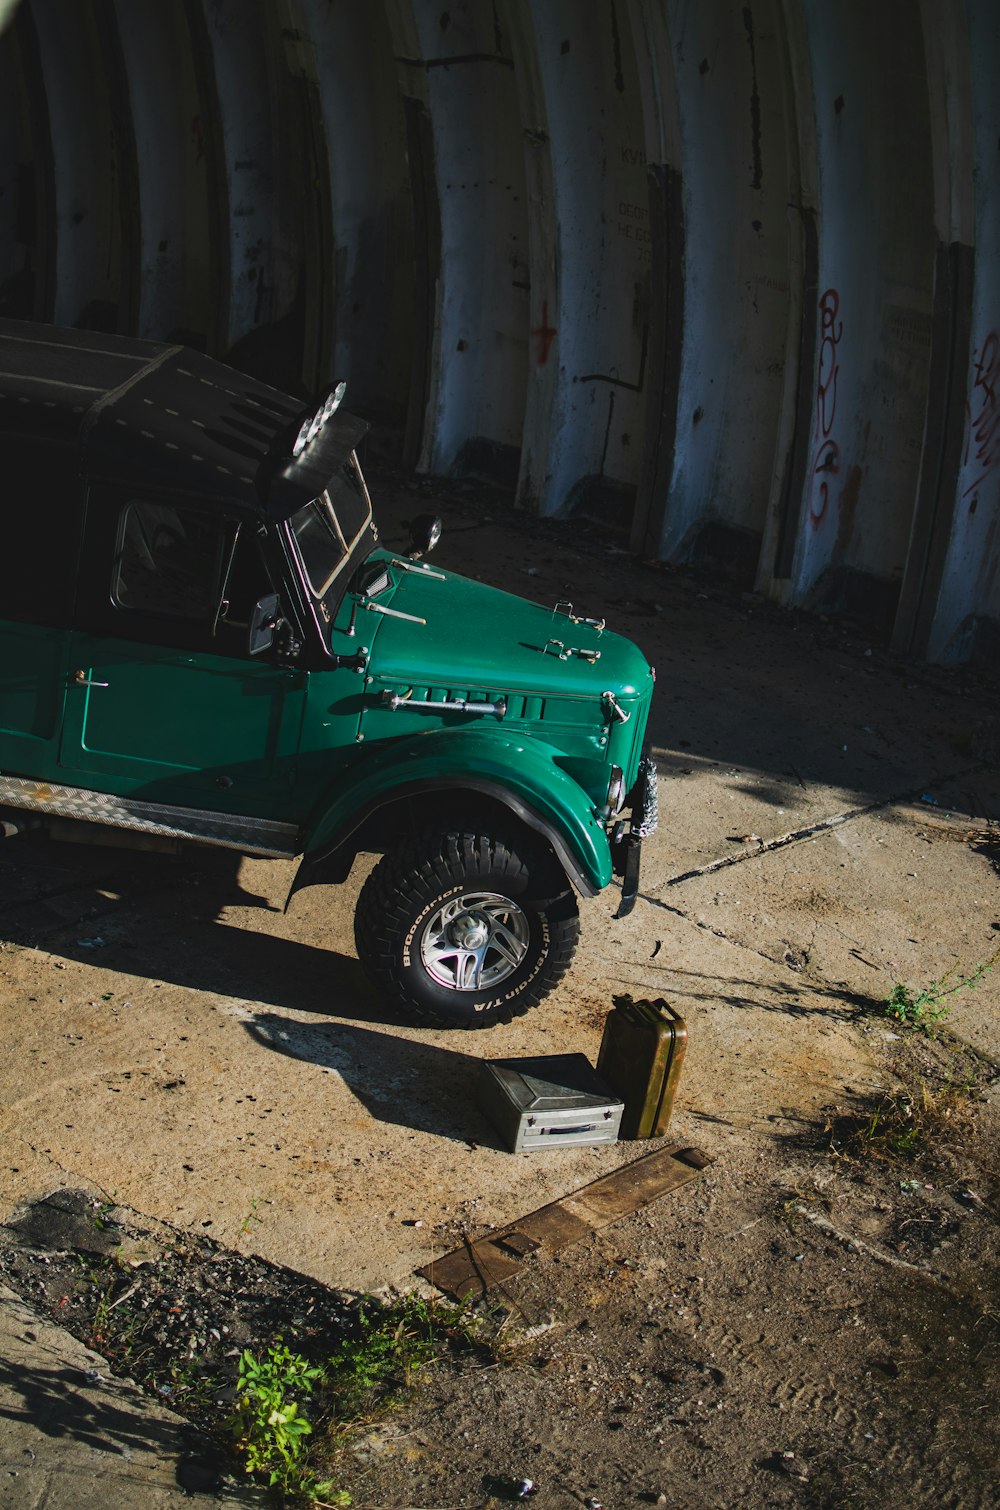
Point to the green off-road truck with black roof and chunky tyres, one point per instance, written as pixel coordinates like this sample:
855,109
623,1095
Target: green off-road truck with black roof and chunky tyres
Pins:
203,641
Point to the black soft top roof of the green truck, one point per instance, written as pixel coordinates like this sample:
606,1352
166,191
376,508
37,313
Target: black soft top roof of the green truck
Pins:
150,413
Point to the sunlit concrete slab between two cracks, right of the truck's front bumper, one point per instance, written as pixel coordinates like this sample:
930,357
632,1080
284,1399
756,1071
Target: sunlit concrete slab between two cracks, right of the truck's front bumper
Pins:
890,896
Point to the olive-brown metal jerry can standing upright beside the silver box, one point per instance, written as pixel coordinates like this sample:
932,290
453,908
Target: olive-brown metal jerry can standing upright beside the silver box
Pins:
641,1056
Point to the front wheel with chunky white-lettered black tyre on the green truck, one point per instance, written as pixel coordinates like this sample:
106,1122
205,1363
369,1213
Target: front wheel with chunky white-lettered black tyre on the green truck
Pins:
468,929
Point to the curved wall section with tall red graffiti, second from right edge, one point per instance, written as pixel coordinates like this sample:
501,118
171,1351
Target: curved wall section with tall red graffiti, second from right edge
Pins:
877,262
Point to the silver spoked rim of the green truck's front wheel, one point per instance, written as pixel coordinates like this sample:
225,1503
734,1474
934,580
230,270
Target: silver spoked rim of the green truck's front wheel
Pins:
475,941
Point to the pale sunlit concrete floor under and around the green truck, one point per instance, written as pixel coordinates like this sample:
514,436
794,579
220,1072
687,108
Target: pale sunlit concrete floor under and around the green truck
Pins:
184,1047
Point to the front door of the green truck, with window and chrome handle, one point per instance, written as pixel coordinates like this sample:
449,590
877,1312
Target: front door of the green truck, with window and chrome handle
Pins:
164,703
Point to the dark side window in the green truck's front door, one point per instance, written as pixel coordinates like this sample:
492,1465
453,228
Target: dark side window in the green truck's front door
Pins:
170,561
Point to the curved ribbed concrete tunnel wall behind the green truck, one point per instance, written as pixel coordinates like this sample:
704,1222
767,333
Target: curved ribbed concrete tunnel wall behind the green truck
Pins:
720,277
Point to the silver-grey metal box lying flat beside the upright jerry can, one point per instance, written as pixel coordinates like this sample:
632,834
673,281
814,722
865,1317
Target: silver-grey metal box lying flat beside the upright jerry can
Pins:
551,1102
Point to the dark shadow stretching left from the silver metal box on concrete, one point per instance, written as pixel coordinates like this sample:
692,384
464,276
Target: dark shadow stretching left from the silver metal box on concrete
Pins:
400,1080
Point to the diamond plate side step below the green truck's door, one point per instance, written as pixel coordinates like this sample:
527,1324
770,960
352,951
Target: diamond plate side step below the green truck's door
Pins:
226,830
